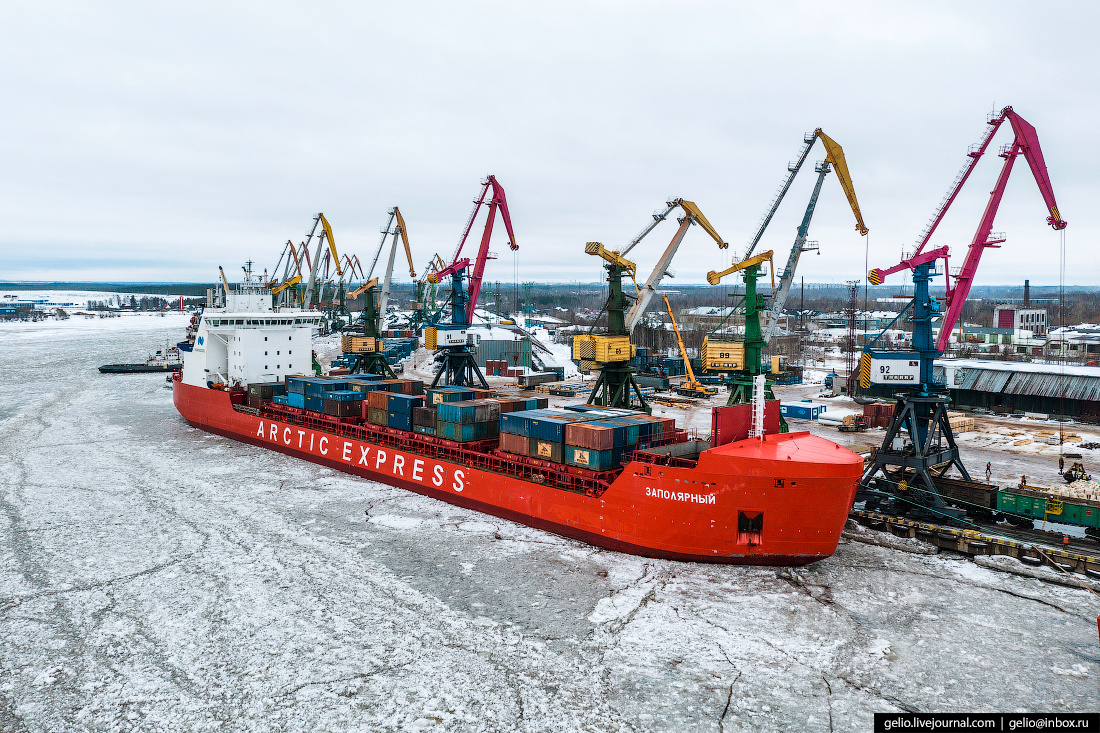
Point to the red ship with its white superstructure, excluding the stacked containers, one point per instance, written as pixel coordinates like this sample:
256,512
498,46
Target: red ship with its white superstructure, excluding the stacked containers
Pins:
779,499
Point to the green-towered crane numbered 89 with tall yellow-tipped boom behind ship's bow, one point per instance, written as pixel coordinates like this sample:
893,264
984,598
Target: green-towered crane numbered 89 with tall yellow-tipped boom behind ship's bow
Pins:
742,389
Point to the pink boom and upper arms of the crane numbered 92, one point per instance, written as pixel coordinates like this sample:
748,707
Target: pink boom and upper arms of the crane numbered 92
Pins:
1026,143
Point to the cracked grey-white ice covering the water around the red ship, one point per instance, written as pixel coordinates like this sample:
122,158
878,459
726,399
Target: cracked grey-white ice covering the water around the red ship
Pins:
155,577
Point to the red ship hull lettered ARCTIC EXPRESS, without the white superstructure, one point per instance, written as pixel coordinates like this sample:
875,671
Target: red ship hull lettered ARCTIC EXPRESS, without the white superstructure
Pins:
780,501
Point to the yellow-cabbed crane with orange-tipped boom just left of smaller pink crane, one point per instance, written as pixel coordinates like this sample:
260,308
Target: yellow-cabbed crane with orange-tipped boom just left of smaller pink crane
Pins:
367,349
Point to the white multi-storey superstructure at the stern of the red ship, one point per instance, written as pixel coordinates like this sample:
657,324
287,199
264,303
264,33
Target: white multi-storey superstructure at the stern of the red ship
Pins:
249,341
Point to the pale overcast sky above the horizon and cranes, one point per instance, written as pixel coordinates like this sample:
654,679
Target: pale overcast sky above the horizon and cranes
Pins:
156,141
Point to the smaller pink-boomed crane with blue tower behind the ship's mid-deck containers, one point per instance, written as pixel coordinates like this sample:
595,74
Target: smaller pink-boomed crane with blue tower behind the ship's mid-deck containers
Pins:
457,364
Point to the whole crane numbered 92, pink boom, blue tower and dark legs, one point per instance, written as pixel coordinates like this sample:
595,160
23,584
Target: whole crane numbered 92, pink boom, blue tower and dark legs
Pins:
920,443
